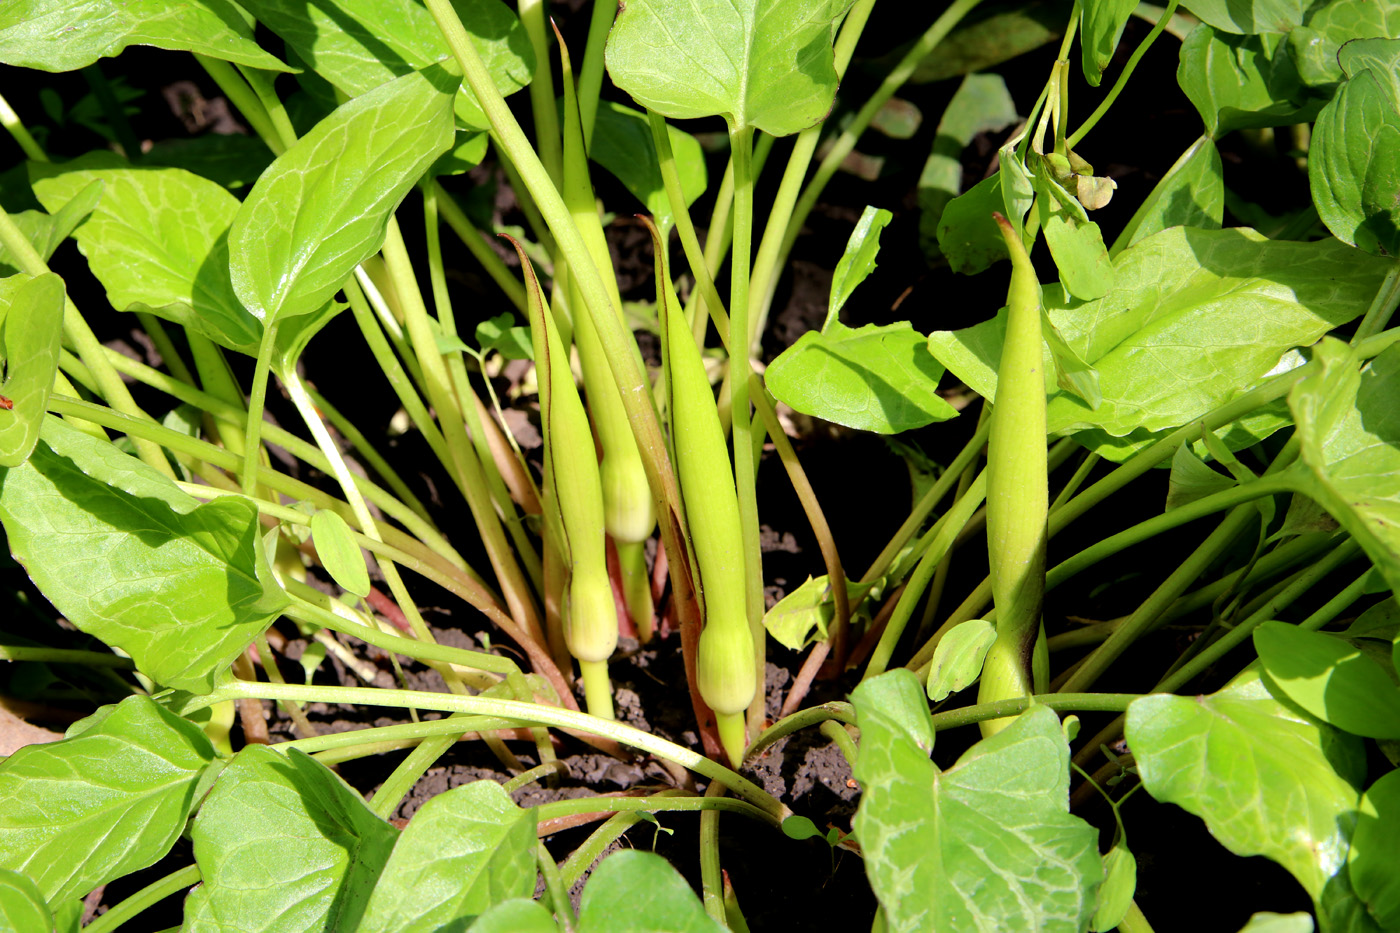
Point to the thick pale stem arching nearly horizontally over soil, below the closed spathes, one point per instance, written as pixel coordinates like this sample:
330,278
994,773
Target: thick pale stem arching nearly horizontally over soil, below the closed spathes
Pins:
514,711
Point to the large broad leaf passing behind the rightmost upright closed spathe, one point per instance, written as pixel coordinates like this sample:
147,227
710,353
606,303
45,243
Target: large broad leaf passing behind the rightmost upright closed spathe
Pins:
1195,317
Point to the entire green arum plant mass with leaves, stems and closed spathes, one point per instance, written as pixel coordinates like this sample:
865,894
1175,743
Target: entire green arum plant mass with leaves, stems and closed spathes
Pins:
183,548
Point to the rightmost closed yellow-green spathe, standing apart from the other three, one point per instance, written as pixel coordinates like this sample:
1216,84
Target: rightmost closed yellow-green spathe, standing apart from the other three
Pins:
1018,501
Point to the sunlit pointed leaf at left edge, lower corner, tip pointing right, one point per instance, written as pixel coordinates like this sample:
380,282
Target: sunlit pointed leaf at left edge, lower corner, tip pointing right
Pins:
113,801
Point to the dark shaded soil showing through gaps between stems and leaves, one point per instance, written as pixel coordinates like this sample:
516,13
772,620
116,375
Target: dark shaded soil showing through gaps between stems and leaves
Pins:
863,487
